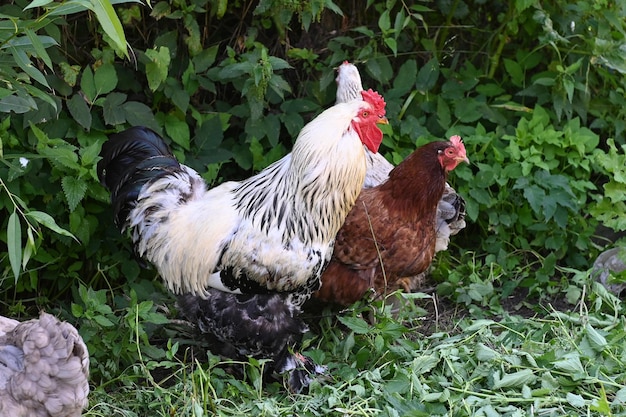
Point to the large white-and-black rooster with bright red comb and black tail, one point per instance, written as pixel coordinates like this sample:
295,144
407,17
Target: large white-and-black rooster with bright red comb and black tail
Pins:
246,255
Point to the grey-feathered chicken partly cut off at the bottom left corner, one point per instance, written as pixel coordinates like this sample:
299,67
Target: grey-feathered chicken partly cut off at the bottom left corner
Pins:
44,368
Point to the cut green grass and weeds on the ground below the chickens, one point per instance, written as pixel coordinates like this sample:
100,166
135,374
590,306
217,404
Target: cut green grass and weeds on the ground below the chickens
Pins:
420,361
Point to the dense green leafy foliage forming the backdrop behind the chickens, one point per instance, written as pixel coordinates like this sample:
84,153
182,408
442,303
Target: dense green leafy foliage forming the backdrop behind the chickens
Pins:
536,89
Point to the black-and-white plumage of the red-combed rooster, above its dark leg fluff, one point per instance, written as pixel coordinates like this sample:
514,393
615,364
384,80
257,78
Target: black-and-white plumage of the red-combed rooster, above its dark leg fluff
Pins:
270,232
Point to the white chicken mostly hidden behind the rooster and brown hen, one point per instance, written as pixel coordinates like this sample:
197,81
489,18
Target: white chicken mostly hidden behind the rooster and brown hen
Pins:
451,207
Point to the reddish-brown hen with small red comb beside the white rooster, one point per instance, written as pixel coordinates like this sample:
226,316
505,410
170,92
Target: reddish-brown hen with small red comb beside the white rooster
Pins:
391,232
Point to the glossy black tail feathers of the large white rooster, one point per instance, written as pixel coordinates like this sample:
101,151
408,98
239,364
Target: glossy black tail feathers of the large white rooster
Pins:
130,159
